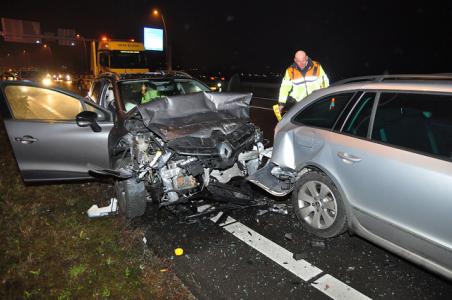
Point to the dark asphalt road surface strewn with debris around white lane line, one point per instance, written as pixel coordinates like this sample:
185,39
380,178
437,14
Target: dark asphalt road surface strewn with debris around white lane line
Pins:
217,265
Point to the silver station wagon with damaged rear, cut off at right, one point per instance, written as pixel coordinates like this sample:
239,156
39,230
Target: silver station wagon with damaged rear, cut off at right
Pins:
372,155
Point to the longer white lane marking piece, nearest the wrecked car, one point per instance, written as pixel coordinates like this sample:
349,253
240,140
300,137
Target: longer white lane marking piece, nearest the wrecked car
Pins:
278,254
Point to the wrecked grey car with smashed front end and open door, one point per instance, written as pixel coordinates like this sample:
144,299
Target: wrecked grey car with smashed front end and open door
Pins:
166,151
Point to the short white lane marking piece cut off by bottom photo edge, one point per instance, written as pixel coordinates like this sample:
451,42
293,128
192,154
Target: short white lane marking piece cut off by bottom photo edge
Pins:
336,289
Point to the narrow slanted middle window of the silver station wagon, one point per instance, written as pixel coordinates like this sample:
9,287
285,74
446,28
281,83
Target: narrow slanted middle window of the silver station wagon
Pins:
359,120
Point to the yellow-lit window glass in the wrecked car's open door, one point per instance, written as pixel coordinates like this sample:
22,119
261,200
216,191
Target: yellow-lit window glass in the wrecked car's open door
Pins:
33,103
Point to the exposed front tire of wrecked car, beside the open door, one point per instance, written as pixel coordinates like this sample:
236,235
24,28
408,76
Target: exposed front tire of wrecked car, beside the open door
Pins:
131,195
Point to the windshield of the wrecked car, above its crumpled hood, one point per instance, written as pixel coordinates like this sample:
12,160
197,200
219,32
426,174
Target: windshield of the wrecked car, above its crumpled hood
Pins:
143,91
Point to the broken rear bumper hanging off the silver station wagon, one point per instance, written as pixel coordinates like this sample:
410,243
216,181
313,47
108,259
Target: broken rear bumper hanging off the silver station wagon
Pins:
264,179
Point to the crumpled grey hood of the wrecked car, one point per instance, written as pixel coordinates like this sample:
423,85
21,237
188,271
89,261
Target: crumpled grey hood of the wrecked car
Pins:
196,115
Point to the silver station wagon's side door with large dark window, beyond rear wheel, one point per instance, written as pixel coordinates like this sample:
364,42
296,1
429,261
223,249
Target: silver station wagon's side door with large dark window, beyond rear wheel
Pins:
397,171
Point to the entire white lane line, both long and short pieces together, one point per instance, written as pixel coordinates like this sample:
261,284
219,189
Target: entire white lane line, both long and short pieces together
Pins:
326,284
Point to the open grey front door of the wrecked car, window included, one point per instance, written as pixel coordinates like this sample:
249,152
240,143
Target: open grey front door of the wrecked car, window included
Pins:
47,142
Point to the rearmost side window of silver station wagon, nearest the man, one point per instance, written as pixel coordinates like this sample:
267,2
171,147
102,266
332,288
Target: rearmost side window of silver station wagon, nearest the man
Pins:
324,112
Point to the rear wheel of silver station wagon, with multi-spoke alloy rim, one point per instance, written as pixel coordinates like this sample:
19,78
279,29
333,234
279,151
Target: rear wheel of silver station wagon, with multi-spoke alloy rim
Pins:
318,205
